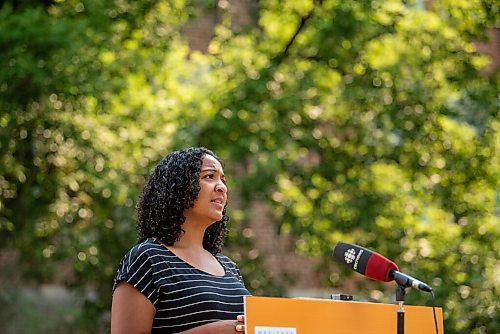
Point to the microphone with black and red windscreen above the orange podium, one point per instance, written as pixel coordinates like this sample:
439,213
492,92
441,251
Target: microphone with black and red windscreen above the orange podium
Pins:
374,266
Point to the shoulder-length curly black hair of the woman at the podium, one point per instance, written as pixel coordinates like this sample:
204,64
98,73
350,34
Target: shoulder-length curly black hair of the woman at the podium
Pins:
172,187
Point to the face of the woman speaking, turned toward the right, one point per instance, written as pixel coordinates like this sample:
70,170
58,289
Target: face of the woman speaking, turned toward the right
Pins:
212,197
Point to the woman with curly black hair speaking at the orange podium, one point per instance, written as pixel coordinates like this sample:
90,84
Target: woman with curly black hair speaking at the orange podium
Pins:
175,280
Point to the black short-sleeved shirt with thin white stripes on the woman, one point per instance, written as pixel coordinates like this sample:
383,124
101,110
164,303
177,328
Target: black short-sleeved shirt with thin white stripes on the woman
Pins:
184,296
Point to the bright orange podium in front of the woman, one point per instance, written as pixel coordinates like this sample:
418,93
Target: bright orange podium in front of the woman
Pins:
270,315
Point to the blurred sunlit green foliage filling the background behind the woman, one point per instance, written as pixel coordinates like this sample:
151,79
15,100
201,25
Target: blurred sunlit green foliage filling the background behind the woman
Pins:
373,122
